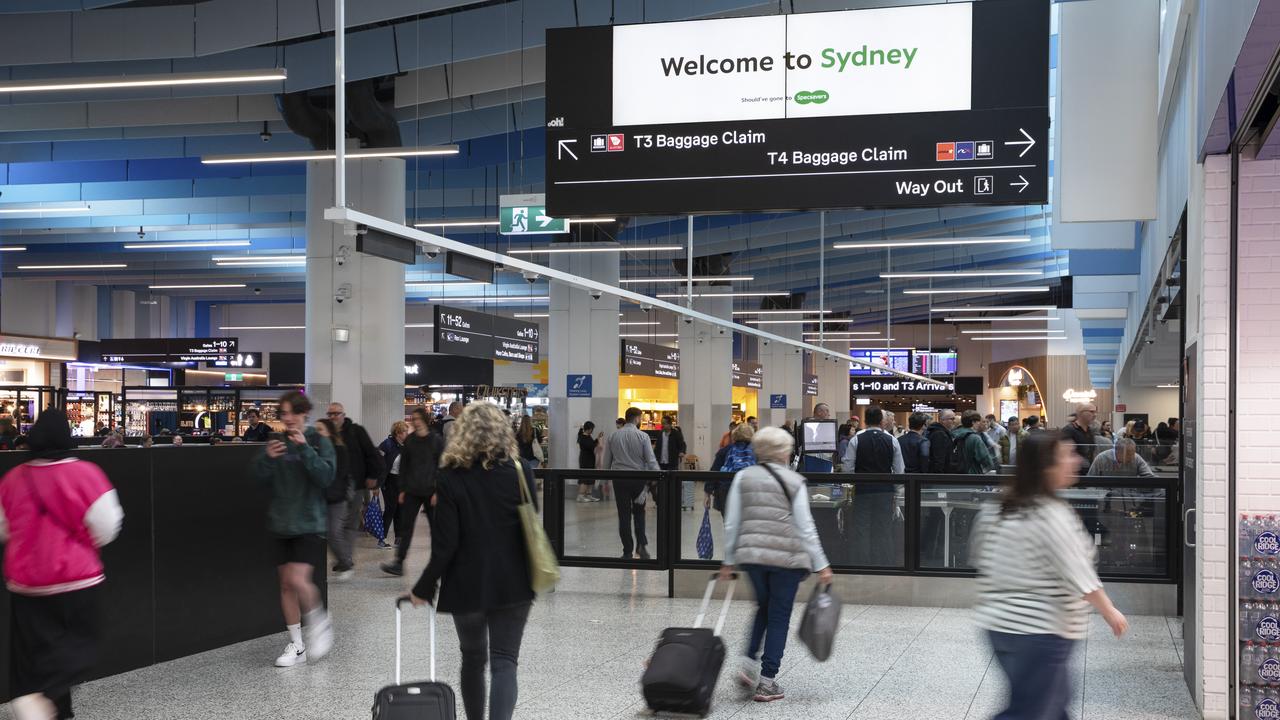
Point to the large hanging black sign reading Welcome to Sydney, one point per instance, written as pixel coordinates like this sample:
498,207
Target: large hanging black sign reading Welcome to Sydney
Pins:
926,106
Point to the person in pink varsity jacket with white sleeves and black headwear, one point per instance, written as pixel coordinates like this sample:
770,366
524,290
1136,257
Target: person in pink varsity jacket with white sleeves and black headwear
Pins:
56,513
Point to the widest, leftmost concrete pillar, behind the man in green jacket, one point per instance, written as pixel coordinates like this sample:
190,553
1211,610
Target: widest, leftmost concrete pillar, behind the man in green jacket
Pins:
355,348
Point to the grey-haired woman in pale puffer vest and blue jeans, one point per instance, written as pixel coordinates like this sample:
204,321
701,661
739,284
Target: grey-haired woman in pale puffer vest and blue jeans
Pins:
770,535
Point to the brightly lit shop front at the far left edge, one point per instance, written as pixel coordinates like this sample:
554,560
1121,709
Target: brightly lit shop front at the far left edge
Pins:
30,373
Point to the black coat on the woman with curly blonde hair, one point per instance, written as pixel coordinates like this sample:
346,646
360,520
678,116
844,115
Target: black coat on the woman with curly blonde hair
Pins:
478,546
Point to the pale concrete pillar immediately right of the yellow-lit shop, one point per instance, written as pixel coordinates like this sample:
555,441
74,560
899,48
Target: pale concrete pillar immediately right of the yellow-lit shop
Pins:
707,379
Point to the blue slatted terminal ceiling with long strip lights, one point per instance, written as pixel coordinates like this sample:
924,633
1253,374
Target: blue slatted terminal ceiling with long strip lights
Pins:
458,72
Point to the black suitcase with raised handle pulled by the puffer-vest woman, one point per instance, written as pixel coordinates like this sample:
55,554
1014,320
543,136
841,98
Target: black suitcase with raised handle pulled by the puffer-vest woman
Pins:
687,664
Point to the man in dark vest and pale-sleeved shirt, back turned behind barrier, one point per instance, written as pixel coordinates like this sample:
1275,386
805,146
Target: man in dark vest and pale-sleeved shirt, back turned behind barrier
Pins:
875,452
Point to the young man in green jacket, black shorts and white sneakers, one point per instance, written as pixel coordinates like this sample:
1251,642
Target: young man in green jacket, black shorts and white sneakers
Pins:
296,467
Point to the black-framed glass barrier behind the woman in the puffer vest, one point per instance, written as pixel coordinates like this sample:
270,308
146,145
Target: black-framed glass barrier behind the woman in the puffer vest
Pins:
868,525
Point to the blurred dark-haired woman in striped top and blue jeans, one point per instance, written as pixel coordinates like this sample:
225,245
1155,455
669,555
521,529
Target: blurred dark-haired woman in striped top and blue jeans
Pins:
1036,580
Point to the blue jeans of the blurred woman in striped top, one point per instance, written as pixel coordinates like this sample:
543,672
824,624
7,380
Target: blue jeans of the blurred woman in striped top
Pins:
1039,672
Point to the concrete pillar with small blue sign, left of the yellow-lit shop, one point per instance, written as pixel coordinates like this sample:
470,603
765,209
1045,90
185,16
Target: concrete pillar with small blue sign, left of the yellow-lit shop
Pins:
582,339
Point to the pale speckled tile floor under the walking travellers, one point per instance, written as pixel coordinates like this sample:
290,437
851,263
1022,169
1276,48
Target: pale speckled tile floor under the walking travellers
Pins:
586,645
